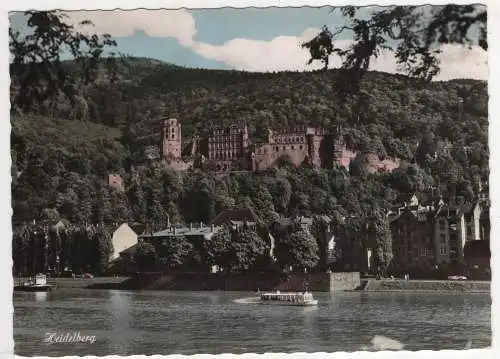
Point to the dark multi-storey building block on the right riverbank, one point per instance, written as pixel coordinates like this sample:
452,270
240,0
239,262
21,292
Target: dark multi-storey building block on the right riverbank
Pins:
429,234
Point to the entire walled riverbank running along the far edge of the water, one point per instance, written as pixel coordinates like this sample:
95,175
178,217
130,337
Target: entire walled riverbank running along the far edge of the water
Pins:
318,282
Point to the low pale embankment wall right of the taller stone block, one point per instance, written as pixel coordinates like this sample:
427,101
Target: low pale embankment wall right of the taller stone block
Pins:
385,285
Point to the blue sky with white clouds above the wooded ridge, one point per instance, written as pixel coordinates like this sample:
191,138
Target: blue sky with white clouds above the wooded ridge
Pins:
250,39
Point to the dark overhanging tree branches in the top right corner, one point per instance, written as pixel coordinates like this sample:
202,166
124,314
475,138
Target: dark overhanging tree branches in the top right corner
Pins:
409,32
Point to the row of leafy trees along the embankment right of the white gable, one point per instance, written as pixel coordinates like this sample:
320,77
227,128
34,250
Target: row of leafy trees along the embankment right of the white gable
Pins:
292,247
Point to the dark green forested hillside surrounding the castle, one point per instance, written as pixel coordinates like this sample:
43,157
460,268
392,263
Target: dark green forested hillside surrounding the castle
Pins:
62,151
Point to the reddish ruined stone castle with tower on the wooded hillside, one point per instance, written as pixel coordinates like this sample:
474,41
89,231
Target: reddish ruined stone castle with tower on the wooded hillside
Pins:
230,149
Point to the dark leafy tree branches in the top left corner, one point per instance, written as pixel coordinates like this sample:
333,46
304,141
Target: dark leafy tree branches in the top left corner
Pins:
36,67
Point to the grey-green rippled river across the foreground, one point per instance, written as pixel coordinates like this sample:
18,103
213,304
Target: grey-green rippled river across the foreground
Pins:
147,322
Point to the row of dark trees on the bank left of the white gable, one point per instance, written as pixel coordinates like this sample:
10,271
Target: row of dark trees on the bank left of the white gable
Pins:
57,248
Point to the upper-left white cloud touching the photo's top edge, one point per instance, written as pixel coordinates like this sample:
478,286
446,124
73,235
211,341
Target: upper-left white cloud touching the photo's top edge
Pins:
178,24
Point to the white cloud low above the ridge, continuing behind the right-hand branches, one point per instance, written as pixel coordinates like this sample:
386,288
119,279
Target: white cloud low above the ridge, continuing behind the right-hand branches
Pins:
285,53
